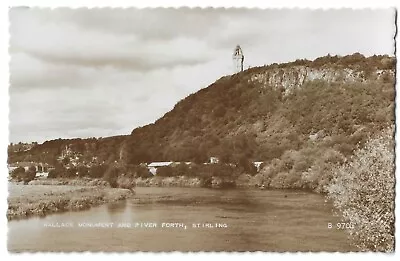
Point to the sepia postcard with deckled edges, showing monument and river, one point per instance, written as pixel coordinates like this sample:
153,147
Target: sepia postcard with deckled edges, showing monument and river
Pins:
201,129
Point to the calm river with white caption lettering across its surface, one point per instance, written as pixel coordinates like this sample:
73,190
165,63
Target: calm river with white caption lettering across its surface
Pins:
189,219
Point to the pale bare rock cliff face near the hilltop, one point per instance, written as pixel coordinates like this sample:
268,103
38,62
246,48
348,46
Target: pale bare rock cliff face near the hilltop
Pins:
295,76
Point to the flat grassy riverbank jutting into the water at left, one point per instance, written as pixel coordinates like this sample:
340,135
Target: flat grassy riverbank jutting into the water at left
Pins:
39,200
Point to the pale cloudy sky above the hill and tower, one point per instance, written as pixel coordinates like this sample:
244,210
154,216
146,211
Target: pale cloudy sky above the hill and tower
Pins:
103,72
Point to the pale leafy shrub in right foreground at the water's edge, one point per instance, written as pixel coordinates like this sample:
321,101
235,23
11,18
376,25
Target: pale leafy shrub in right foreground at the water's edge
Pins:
363,191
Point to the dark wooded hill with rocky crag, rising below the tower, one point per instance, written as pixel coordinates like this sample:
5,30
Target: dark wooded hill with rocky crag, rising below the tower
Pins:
259,115
